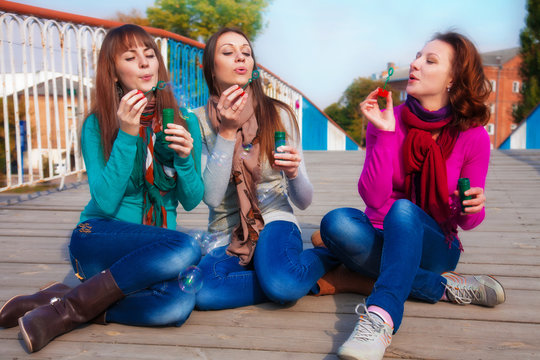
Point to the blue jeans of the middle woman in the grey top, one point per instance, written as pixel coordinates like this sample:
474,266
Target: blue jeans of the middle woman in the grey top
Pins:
281,271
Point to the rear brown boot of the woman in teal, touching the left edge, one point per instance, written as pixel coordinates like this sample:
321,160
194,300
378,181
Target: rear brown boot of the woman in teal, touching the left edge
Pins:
19,305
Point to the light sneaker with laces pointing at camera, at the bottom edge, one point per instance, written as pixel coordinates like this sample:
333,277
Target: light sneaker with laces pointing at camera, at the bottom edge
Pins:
369,339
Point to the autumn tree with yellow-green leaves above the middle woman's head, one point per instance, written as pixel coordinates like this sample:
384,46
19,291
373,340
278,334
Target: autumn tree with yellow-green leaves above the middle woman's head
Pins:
201,18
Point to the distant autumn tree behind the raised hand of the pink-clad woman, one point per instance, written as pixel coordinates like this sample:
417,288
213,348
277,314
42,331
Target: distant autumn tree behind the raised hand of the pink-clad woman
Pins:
346,113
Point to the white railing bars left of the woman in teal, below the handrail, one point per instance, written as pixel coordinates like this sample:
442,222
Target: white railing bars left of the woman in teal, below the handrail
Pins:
46,71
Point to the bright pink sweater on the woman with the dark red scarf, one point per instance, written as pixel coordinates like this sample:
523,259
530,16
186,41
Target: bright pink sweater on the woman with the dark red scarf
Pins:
383,177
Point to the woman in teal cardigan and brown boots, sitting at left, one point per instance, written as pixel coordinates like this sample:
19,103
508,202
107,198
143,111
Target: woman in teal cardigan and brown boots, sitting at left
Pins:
125,249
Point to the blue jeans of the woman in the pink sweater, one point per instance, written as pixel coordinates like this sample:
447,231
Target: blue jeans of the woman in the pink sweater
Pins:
406,258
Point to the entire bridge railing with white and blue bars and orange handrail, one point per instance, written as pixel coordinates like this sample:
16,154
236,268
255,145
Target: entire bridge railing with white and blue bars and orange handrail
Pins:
47,72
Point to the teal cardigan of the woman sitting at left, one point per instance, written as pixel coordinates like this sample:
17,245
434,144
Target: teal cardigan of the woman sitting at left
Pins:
114,195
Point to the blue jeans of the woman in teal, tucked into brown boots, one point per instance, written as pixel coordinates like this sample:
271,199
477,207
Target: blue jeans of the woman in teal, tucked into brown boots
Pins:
145,262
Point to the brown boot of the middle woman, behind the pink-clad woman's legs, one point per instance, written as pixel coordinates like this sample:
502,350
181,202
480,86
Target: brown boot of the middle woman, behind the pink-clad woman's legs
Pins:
343,280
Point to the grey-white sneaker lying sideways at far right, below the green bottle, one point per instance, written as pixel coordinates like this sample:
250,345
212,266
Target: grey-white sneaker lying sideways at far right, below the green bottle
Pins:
473,289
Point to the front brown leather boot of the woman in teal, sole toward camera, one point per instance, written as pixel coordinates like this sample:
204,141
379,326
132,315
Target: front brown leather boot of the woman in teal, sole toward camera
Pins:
78,306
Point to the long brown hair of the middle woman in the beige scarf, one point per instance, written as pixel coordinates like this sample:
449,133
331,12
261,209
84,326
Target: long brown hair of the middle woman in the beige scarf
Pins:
266,108
